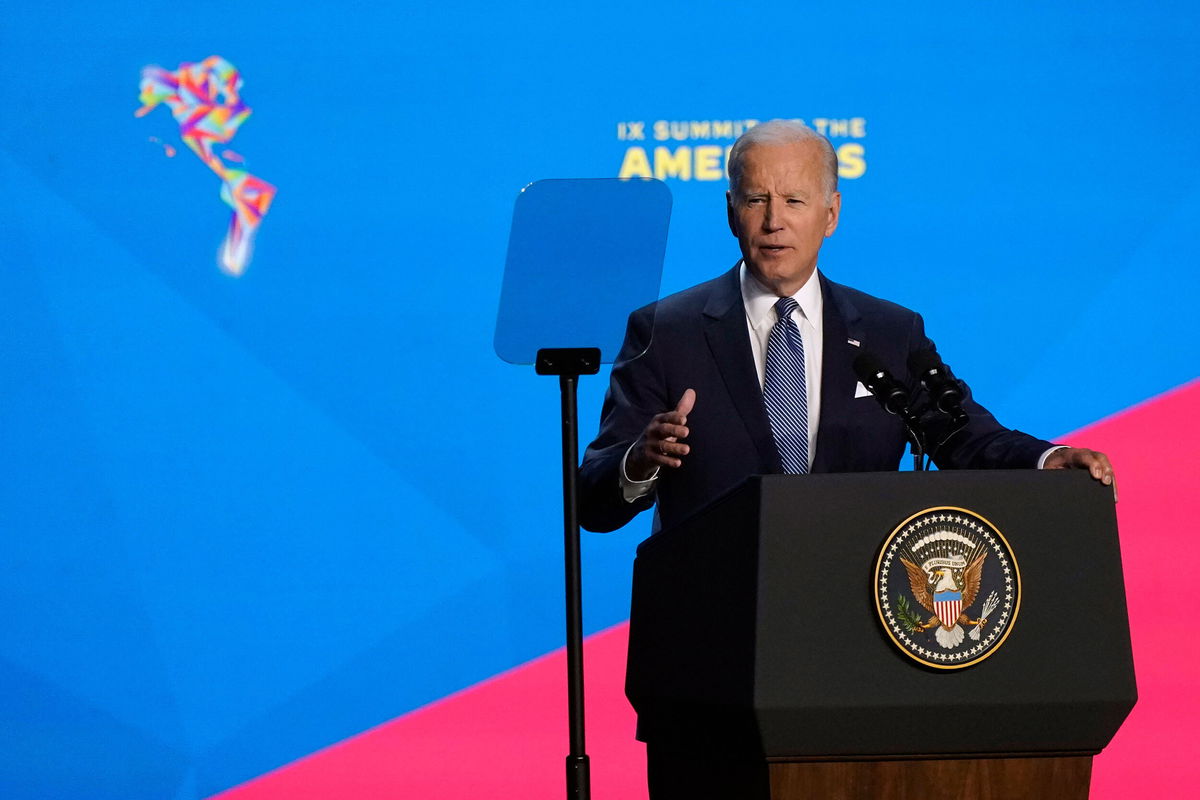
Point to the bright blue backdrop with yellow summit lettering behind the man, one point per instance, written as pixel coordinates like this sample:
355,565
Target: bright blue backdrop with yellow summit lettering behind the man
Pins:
247,518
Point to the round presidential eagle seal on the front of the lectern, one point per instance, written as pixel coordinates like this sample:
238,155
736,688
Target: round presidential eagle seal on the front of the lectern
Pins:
947,588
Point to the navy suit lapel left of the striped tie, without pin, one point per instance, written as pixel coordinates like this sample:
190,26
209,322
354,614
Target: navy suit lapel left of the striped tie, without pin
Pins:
729,339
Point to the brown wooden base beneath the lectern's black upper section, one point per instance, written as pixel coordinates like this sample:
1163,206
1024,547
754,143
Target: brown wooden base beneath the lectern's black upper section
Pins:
679,777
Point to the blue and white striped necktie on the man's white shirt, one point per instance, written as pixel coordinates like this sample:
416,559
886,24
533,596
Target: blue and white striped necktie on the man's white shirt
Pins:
784,390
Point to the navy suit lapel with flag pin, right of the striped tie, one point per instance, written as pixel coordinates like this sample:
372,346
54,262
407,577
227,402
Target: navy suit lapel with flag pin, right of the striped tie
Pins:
838,380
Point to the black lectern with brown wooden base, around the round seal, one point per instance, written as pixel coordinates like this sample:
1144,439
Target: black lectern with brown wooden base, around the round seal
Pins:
755,640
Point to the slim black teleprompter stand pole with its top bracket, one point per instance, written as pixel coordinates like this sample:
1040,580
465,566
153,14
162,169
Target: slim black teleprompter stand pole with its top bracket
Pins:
569,364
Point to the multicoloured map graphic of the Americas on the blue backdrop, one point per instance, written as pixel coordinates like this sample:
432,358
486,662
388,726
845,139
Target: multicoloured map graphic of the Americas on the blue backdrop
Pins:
205,100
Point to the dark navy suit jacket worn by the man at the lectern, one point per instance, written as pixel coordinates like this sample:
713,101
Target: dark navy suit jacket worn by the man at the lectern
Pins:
701,341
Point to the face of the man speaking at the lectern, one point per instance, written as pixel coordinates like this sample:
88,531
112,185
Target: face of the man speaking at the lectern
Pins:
781,214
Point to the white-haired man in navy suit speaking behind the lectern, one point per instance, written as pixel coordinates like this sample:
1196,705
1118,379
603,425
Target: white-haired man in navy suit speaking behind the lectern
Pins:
753,372
